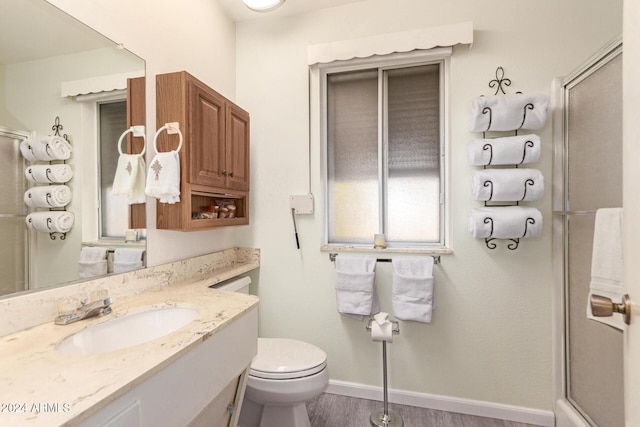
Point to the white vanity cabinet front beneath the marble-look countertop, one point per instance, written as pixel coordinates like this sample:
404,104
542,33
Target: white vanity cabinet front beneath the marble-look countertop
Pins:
202,387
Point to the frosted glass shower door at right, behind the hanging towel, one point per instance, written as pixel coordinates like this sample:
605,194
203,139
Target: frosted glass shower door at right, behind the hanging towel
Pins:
592,179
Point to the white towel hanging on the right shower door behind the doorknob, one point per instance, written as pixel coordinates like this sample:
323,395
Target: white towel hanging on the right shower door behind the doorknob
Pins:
607,262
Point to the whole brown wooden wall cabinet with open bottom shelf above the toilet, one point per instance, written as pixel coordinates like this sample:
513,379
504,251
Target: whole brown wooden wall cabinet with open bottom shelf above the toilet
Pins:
214,158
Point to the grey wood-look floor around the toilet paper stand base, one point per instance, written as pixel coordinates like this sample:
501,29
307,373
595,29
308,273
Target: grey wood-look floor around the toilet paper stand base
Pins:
331,410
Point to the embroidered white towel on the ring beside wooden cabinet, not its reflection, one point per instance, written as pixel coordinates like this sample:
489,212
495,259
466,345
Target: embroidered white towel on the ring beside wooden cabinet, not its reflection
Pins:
163,180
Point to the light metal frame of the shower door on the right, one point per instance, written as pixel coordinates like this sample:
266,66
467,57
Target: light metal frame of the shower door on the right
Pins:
566,414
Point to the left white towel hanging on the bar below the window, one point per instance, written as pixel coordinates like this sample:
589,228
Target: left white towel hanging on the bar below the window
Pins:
355,286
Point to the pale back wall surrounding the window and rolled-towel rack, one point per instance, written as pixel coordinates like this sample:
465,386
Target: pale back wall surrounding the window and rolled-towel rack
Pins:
490,338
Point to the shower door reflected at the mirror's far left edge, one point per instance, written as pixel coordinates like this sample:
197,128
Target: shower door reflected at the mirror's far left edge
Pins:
13,233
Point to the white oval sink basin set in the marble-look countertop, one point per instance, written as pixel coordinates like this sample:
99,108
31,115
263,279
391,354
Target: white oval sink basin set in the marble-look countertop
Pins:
123,332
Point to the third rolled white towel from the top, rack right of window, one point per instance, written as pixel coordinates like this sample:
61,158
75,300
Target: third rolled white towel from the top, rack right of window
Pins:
508,185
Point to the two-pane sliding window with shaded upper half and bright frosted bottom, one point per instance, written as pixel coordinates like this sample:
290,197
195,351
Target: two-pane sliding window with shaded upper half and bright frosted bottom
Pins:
385,153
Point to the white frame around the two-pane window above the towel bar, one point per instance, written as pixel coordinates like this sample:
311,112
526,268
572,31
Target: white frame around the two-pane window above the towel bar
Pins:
439,56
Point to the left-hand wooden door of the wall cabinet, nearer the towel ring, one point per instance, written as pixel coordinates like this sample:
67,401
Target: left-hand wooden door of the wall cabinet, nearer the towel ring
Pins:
207,136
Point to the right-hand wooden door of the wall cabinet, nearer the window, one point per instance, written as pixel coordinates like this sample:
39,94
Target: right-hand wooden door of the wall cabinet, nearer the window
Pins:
237,159
